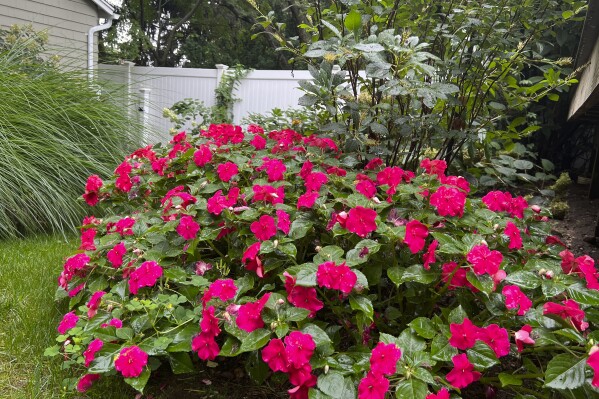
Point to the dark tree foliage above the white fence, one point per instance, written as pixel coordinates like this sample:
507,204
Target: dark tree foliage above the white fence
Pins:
196,33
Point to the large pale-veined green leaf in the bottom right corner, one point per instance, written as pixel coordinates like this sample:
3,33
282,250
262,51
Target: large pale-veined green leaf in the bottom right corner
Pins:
565,371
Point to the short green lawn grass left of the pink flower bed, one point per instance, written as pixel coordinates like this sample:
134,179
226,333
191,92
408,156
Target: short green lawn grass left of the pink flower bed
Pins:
29,317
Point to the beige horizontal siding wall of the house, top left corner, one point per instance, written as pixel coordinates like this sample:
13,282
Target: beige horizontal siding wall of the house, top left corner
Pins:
66,21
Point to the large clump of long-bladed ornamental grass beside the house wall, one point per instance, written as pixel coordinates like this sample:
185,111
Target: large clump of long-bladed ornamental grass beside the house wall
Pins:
55,129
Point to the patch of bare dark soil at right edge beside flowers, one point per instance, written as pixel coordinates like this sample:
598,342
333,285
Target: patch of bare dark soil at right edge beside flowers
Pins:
577,230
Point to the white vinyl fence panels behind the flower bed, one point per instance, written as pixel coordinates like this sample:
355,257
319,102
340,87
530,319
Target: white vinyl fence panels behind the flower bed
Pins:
159,88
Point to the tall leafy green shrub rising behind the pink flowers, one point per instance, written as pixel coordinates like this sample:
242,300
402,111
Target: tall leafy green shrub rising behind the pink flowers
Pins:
444,77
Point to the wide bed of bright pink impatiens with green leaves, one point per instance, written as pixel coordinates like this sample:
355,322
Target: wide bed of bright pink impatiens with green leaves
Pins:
344,277
